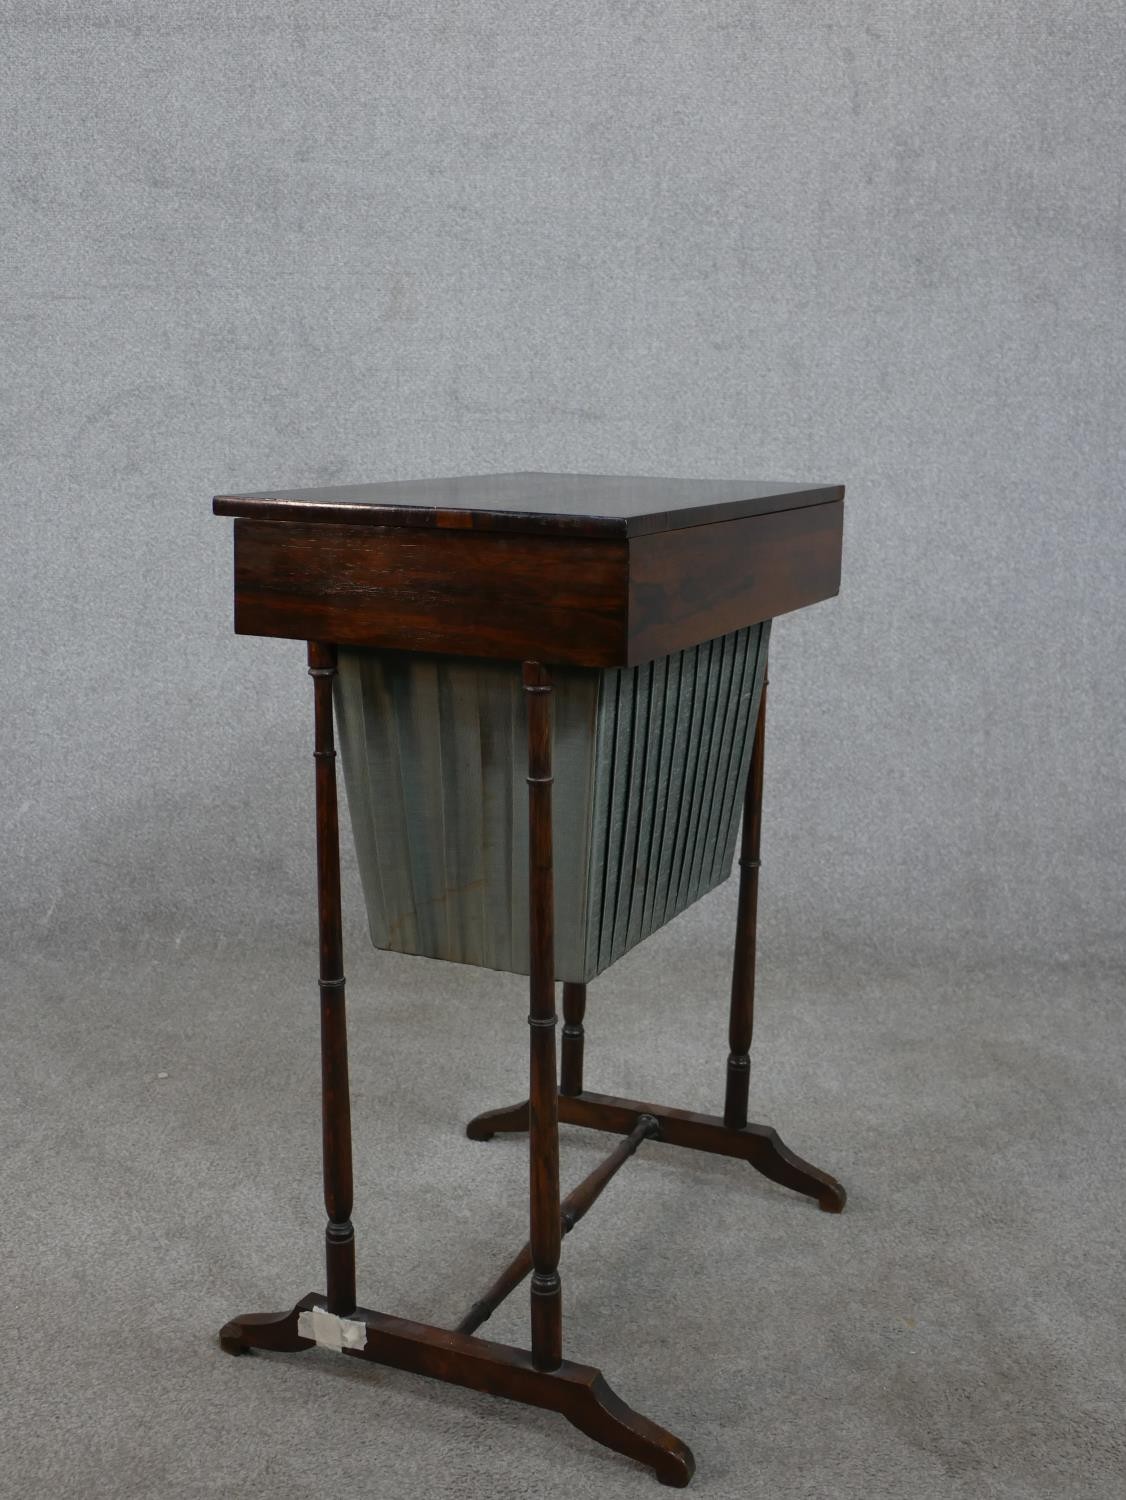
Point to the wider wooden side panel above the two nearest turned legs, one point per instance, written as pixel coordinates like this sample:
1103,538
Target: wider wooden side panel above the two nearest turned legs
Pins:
451,592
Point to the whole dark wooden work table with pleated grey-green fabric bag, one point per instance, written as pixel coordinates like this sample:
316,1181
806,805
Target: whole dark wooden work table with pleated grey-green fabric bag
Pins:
482,646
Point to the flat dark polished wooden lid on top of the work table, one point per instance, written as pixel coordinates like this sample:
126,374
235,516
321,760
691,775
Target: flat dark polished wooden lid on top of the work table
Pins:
542,505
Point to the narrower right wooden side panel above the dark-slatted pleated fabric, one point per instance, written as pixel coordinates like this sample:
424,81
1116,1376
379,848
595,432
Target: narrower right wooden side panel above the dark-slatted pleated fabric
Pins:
693,586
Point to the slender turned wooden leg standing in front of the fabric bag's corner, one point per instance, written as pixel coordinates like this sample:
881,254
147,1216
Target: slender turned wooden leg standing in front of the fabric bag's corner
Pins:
544,1105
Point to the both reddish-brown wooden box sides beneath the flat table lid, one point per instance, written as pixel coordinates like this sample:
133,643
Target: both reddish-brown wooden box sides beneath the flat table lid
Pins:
575,602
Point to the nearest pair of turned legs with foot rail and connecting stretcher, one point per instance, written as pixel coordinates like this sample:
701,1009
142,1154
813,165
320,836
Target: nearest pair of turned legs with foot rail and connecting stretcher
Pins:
542,1378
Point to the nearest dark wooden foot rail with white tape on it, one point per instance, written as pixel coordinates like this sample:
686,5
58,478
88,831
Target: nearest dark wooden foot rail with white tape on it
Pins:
579,1393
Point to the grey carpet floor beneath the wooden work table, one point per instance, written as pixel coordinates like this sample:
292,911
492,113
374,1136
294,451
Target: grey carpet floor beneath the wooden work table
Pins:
957,1333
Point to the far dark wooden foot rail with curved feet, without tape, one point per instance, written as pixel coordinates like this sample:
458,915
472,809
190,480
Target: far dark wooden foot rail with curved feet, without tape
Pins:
758,1145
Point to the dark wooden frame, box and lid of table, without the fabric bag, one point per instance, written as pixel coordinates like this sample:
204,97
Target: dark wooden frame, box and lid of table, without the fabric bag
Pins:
590,572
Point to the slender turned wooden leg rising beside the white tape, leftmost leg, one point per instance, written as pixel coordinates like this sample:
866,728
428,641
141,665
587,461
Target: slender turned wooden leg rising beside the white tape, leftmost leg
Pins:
335,1106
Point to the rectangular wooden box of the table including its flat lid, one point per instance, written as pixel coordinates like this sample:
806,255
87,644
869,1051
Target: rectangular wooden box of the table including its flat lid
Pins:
582,569
